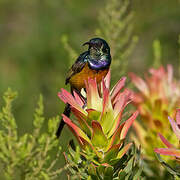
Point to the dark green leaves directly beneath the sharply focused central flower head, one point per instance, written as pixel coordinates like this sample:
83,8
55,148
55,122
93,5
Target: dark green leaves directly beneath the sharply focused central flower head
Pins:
129,167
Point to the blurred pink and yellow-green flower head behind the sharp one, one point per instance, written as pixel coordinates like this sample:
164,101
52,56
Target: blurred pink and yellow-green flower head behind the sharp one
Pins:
158,96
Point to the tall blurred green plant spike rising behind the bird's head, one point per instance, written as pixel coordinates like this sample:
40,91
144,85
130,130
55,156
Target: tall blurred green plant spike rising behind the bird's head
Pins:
116,26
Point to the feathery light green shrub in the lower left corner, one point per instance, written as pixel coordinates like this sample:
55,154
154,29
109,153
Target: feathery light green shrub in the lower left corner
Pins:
27,156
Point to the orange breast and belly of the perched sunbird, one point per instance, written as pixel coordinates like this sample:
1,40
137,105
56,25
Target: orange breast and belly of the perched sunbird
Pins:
78,80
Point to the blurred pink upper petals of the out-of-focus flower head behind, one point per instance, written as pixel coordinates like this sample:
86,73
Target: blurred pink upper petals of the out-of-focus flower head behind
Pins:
159,85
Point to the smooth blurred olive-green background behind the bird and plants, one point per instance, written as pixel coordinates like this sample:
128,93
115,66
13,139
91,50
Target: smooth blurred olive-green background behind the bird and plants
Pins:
33,59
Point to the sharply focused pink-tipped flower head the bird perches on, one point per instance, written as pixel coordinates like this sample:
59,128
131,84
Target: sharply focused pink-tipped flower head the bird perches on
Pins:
99,127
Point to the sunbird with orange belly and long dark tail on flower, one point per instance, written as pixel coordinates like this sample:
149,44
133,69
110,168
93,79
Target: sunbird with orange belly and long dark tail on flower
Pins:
93,63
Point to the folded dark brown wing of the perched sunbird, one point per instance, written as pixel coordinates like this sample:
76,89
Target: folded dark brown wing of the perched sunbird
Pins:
77,66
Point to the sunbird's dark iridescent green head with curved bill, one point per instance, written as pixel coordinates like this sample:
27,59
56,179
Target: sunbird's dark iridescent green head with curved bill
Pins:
98,47
